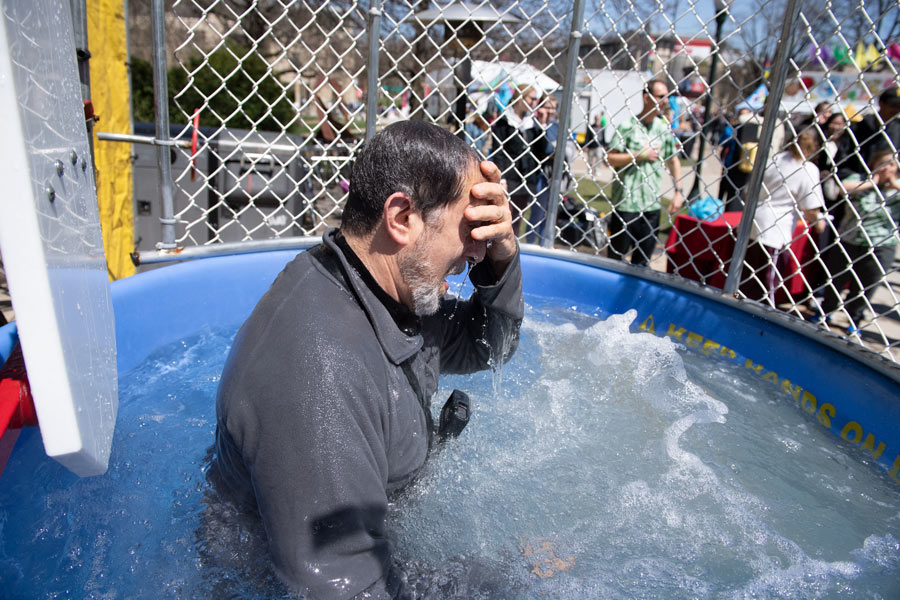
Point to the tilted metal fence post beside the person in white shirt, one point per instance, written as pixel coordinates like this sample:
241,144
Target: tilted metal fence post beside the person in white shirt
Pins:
770,118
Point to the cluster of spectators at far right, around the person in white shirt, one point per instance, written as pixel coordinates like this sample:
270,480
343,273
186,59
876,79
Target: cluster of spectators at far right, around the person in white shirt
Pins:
837,175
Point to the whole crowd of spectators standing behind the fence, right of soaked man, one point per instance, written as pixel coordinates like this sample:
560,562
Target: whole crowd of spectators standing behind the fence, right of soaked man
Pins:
837,176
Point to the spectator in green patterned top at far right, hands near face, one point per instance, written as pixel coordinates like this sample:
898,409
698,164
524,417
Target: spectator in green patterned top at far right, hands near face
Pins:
868,236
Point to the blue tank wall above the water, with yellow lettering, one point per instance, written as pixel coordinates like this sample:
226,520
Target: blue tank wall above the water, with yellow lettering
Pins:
848,391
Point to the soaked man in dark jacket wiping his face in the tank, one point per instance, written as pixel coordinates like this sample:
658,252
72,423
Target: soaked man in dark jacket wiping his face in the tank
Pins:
323,410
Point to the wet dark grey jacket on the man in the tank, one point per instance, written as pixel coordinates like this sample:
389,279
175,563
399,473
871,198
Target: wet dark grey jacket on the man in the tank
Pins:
319,417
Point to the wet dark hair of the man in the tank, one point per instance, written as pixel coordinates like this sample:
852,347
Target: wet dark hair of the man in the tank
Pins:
423,161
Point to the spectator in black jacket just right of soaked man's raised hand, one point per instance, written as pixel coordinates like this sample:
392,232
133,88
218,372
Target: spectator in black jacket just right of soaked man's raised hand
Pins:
518,148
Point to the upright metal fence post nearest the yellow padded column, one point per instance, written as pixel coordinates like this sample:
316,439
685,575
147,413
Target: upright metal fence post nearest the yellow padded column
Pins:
161,109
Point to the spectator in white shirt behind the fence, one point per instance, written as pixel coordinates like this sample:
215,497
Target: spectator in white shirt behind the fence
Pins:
790,191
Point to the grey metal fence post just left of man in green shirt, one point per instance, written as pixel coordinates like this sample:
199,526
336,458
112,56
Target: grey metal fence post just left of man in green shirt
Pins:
565,111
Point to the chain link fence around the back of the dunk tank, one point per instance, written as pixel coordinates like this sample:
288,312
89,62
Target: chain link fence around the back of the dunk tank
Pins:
748,146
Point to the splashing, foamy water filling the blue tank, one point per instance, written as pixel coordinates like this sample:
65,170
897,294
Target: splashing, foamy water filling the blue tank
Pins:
608,464
